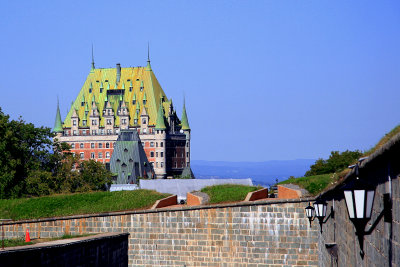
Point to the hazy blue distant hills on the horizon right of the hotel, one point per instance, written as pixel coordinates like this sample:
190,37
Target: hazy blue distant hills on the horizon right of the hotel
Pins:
263,173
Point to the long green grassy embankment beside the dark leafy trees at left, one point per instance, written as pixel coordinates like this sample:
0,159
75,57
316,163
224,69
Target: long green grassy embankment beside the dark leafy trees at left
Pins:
73,204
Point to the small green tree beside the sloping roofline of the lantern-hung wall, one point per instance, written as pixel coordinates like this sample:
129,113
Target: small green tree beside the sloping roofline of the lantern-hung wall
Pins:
335,163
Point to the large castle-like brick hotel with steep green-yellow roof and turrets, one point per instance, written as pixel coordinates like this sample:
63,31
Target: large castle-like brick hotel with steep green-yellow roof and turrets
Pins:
114,99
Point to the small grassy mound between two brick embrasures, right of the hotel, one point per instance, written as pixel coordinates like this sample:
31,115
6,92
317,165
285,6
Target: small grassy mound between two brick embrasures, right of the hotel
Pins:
228,192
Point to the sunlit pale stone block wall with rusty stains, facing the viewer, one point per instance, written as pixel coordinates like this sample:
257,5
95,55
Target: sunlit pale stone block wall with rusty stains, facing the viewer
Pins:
270,232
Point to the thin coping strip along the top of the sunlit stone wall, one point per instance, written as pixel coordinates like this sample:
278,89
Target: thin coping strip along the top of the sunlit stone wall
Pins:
172,209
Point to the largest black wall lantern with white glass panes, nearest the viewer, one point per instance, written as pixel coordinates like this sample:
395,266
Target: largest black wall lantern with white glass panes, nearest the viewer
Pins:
359,198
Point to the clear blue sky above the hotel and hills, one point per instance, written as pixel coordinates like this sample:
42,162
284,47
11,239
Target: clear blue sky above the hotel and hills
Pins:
263,80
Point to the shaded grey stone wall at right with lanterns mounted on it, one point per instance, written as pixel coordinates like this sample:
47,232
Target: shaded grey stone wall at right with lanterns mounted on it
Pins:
382,245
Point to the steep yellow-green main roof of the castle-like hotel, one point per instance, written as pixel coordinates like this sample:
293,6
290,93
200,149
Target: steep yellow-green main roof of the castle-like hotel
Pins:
138,76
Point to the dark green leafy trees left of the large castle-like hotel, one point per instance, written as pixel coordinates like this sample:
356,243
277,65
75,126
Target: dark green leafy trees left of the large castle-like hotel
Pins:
33,164
